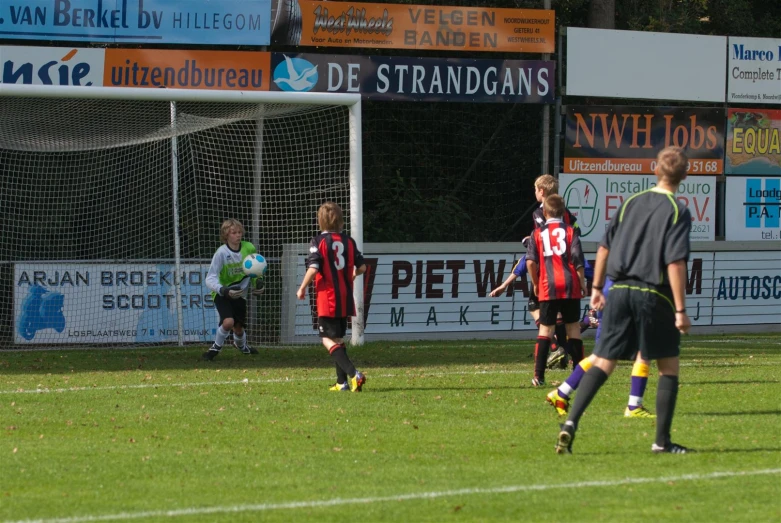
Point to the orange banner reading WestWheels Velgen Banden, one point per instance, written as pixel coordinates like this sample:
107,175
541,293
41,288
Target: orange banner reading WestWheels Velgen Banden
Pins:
397,26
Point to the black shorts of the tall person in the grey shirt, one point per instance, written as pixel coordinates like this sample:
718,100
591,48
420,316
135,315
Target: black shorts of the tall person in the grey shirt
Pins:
637,317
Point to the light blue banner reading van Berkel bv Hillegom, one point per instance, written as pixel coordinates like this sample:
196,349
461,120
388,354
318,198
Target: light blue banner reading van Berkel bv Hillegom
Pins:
200,22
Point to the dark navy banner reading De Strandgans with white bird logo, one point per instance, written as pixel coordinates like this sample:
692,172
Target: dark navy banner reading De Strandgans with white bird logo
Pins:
416,79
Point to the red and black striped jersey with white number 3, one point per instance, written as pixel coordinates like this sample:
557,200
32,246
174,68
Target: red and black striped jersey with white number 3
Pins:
335,256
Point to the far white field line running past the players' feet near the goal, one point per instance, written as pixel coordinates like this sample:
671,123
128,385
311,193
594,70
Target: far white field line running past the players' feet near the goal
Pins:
46,390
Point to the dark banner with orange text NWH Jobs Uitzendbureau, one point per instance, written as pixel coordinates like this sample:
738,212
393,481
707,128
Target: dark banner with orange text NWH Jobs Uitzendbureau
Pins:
626,140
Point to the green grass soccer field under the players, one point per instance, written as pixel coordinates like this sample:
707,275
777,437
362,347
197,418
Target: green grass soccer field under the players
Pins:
445,431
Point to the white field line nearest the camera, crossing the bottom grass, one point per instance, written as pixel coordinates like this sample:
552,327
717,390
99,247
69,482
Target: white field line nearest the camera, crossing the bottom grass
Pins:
335,502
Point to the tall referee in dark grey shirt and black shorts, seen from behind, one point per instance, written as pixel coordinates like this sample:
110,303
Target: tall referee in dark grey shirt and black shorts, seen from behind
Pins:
644,251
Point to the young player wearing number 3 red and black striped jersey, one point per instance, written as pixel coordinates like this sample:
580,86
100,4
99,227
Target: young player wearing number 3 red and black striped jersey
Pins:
333,263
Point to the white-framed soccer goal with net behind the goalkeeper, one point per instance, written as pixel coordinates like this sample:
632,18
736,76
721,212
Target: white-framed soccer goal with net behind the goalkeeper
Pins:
111,202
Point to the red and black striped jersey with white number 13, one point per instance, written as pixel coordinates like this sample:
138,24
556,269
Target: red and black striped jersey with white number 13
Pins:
556,248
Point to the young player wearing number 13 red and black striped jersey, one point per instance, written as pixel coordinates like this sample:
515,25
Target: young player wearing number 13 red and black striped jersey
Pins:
555,262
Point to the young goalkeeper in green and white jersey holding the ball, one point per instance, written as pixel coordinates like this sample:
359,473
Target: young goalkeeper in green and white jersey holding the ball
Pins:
230,288
